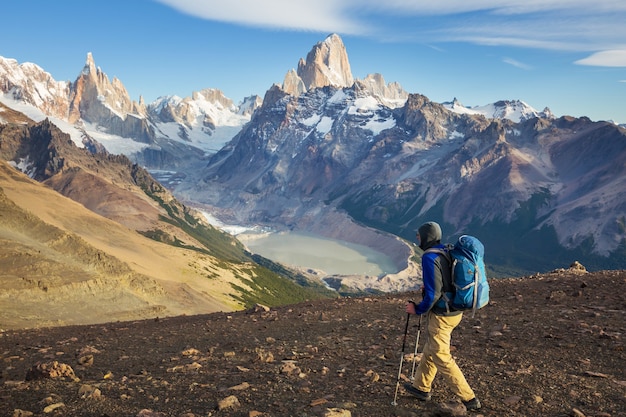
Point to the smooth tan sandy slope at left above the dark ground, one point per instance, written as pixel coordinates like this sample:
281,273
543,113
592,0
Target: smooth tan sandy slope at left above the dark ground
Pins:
60,263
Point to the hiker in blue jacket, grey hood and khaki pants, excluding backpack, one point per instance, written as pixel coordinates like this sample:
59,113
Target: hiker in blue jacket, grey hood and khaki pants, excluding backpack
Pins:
436,357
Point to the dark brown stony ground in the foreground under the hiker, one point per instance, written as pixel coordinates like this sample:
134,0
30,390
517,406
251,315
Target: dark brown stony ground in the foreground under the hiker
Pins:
546,345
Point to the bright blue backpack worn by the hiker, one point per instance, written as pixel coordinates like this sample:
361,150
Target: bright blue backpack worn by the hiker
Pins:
469,279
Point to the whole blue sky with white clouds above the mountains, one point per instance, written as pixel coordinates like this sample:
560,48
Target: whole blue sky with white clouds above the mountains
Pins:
568,55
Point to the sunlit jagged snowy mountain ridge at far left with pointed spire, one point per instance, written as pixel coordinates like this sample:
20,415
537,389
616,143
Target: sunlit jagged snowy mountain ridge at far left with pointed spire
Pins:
93,109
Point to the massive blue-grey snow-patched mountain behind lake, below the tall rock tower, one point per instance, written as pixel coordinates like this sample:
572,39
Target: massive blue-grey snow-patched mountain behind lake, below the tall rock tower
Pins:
530,186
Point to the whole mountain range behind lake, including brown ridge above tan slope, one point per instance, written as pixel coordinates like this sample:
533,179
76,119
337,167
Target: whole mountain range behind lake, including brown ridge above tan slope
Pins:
358,160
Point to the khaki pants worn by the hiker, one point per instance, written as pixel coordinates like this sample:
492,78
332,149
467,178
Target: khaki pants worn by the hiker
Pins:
437,357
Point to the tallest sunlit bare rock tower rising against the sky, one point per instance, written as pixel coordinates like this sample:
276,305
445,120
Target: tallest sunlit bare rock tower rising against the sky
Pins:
326,64
